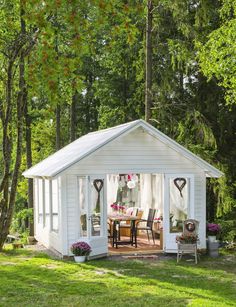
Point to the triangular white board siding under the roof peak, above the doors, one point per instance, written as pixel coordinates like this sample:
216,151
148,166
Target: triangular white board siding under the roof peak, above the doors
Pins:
137,151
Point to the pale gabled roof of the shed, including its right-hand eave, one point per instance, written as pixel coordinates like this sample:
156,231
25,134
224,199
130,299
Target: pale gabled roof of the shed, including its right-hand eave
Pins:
89,143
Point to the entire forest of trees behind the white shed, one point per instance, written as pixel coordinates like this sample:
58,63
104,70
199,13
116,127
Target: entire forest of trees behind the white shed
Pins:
69,67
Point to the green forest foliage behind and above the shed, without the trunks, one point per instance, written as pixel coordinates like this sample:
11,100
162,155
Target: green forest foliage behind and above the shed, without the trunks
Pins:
95,51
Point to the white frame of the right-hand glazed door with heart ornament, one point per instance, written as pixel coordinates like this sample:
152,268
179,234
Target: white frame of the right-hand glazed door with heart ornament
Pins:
169,245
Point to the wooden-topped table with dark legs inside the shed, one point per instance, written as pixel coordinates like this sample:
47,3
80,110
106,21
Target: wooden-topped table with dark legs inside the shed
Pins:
115,222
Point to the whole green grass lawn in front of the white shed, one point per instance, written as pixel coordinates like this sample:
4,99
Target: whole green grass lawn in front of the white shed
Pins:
30,278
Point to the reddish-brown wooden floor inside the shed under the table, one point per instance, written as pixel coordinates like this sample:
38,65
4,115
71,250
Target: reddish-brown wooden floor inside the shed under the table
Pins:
144,247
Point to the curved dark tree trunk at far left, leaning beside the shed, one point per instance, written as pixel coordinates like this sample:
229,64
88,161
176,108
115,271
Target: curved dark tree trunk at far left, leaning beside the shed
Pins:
7,190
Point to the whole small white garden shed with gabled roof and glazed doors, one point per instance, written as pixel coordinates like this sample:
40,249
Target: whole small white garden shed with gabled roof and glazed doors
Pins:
65,197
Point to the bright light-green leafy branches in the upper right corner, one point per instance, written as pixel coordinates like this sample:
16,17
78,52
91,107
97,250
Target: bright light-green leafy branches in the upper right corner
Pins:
217,56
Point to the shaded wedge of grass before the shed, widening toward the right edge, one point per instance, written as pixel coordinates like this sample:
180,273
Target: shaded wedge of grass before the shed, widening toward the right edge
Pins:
216,280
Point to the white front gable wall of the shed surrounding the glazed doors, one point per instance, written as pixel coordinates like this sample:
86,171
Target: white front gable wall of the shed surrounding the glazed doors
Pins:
136,152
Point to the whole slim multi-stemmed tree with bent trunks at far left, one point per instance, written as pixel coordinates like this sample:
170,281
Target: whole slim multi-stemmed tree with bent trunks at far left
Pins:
17,46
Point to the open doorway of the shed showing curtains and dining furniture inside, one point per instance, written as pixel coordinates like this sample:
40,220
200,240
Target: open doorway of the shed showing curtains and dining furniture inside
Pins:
137,194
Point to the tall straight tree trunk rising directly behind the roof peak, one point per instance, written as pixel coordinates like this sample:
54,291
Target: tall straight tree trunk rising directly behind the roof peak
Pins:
148,84
